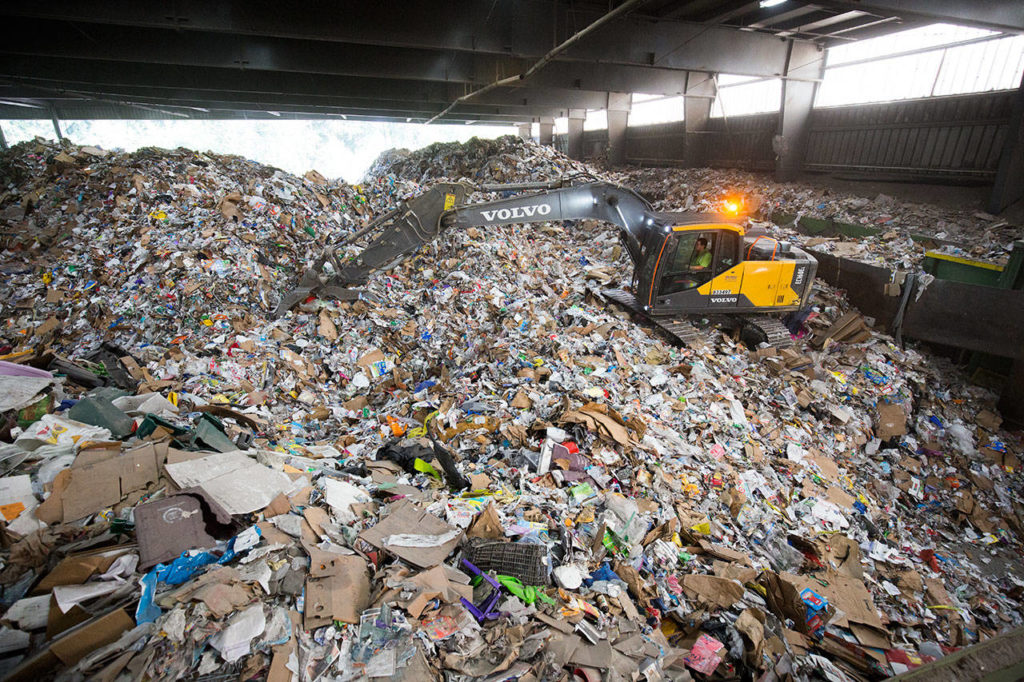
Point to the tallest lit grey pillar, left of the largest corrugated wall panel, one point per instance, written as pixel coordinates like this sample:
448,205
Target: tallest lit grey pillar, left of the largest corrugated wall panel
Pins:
805,66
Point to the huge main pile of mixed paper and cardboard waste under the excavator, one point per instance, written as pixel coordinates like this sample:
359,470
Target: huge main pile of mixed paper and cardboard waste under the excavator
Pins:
485,474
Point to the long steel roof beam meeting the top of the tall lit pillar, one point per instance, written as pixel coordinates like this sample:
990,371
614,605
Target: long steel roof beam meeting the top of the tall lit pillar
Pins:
630,41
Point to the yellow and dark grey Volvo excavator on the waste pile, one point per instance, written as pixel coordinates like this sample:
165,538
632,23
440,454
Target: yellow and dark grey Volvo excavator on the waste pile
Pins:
691,270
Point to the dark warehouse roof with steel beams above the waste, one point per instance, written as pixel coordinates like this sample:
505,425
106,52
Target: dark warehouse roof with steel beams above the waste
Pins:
259,60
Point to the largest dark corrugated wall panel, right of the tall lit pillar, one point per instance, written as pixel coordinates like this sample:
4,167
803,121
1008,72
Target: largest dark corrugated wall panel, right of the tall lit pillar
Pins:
944,137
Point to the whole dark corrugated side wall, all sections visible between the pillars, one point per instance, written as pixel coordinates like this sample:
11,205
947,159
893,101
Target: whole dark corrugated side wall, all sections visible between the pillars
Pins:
959,137
